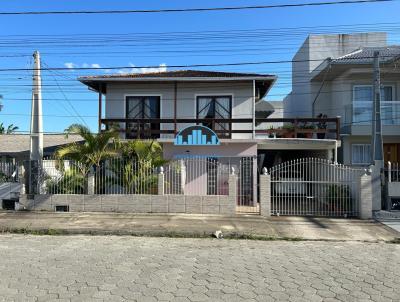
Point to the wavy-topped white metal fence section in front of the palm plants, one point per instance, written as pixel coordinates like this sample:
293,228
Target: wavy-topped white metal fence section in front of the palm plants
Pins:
112,176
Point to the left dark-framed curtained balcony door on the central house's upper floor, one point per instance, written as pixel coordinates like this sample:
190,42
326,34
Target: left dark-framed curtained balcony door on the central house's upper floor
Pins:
142,107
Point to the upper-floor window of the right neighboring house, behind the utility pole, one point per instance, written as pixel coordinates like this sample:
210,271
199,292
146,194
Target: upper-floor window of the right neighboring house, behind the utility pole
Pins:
362,105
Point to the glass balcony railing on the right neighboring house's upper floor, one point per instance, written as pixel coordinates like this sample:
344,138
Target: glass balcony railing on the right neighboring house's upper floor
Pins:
360,113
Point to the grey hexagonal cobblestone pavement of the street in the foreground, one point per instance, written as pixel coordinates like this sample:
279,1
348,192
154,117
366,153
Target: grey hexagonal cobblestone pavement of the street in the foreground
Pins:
85,268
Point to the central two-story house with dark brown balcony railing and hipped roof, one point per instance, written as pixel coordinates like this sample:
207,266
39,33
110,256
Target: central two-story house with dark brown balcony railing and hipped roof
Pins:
163,105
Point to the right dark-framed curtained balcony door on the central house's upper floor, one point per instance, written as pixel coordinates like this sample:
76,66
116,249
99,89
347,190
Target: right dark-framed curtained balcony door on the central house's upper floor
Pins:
215,107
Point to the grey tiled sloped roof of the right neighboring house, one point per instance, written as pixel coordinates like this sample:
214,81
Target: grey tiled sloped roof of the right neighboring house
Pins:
365,55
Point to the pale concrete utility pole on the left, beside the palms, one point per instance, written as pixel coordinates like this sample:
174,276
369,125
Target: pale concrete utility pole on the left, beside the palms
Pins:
36,133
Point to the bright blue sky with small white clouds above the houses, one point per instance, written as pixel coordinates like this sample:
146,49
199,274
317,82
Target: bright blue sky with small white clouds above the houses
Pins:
162,40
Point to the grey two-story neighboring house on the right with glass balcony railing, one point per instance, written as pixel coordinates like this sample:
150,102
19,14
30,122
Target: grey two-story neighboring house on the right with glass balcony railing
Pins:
333,75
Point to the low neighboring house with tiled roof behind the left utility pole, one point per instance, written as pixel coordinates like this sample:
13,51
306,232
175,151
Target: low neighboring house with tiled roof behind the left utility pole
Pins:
15,147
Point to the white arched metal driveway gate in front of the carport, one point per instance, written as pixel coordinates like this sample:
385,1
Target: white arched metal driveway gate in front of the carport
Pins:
317,187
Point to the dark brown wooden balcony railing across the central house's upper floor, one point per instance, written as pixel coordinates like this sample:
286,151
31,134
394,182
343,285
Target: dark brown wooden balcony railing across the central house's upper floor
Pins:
322,128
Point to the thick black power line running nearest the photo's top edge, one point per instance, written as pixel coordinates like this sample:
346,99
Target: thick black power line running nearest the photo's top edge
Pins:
203,9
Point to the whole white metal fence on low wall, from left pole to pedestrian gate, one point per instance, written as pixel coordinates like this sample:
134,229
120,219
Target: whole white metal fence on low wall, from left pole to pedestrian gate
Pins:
199,176
